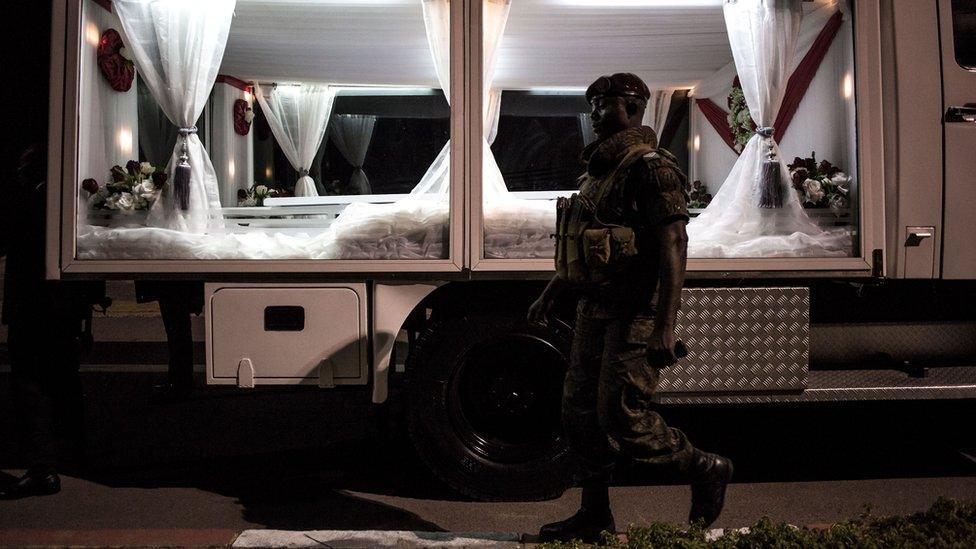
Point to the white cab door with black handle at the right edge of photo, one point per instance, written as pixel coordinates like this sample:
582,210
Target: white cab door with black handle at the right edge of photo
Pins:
957,19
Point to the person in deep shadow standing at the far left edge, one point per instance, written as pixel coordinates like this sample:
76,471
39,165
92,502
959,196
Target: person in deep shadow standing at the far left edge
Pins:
49,323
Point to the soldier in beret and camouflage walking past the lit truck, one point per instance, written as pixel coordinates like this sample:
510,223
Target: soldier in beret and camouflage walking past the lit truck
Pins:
620,240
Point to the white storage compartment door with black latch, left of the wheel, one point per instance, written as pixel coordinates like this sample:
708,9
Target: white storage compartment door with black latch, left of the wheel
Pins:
279,335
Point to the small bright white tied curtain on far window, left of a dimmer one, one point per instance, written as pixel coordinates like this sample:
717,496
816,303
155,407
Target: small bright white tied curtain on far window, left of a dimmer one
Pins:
298,116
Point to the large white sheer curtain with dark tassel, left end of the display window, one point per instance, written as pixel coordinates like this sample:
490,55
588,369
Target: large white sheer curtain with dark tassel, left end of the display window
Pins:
178,46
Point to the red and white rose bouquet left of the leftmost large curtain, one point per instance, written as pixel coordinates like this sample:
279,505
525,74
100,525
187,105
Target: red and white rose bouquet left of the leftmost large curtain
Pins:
131,189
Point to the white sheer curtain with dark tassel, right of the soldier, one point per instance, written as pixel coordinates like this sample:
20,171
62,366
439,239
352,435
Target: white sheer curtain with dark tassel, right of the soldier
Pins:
763,35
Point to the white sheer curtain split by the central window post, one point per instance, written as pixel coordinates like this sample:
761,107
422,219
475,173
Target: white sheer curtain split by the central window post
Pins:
437,22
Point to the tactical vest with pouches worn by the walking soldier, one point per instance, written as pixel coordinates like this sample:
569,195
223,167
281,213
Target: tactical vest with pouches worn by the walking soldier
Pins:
593,241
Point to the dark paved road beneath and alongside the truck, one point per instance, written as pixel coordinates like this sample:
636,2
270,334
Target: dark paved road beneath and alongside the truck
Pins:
199,471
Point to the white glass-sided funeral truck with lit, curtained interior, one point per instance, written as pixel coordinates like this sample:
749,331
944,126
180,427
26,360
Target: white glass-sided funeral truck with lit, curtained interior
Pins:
367,189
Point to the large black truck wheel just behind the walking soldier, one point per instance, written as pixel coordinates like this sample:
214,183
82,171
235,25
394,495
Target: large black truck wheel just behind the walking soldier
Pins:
483,396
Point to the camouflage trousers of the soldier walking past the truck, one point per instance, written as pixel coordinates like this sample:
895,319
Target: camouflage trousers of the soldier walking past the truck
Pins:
607,409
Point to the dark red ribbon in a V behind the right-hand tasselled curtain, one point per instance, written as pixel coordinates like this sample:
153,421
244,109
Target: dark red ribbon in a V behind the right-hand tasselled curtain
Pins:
796,87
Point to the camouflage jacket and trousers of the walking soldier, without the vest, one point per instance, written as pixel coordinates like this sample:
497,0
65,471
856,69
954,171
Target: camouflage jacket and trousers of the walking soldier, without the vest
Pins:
607,410
